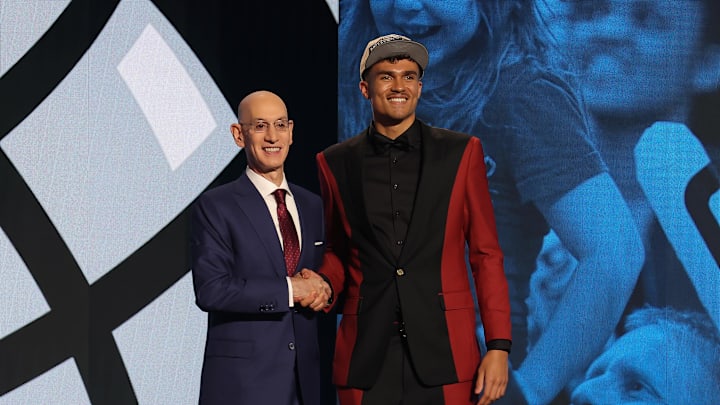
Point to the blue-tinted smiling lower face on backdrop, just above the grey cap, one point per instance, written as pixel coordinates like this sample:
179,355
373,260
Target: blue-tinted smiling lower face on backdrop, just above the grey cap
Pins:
444,27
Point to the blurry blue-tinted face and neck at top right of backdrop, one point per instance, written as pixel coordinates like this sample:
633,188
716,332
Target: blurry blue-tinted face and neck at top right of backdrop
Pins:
638,62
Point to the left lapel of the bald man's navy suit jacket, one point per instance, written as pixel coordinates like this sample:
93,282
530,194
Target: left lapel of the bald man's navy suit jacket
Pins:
251,203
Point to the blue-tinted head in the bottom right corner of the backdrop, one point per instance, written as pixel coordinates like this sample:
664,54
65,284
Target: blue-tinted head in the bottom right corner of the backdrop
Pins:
638,368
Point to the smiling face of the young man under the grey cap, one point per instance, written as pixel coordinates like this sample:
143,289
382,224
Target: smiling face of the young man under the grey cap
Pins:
393,88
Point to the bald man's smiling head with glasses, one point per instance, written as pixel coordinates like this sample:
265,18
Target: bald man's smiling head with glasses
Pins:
266,147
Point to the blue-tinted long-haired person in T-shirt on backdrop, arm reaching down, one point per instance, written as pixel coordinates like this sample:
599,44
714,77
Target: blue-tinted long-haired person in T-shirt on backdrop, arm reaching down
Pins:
501,83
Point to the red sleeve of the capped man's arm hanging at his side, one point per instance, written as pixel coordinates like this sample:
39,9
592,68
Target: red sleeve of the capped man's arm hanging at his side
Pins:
485,255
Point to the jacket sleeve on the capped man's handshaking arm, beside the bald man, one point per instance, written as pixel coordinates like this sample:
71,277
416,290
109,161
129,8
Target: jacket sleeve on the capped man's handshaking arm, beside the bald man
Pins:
336,230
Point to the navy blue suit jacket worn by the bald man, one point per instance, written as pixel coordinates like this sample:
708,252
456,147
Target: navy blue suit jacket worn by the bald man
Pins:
254,339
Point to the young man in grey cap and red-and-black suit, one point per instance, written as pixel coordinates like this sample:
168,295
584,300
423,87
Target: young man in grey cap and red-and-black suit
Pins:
402,201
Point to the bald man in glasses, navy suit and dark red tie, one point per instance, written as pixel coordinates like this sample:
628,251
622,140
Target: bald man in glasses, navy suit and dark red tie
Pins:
254,242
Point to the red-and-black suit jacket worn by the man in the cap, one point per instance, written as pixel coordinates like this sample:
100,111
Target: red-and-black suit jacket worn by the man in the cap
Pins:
430,280
